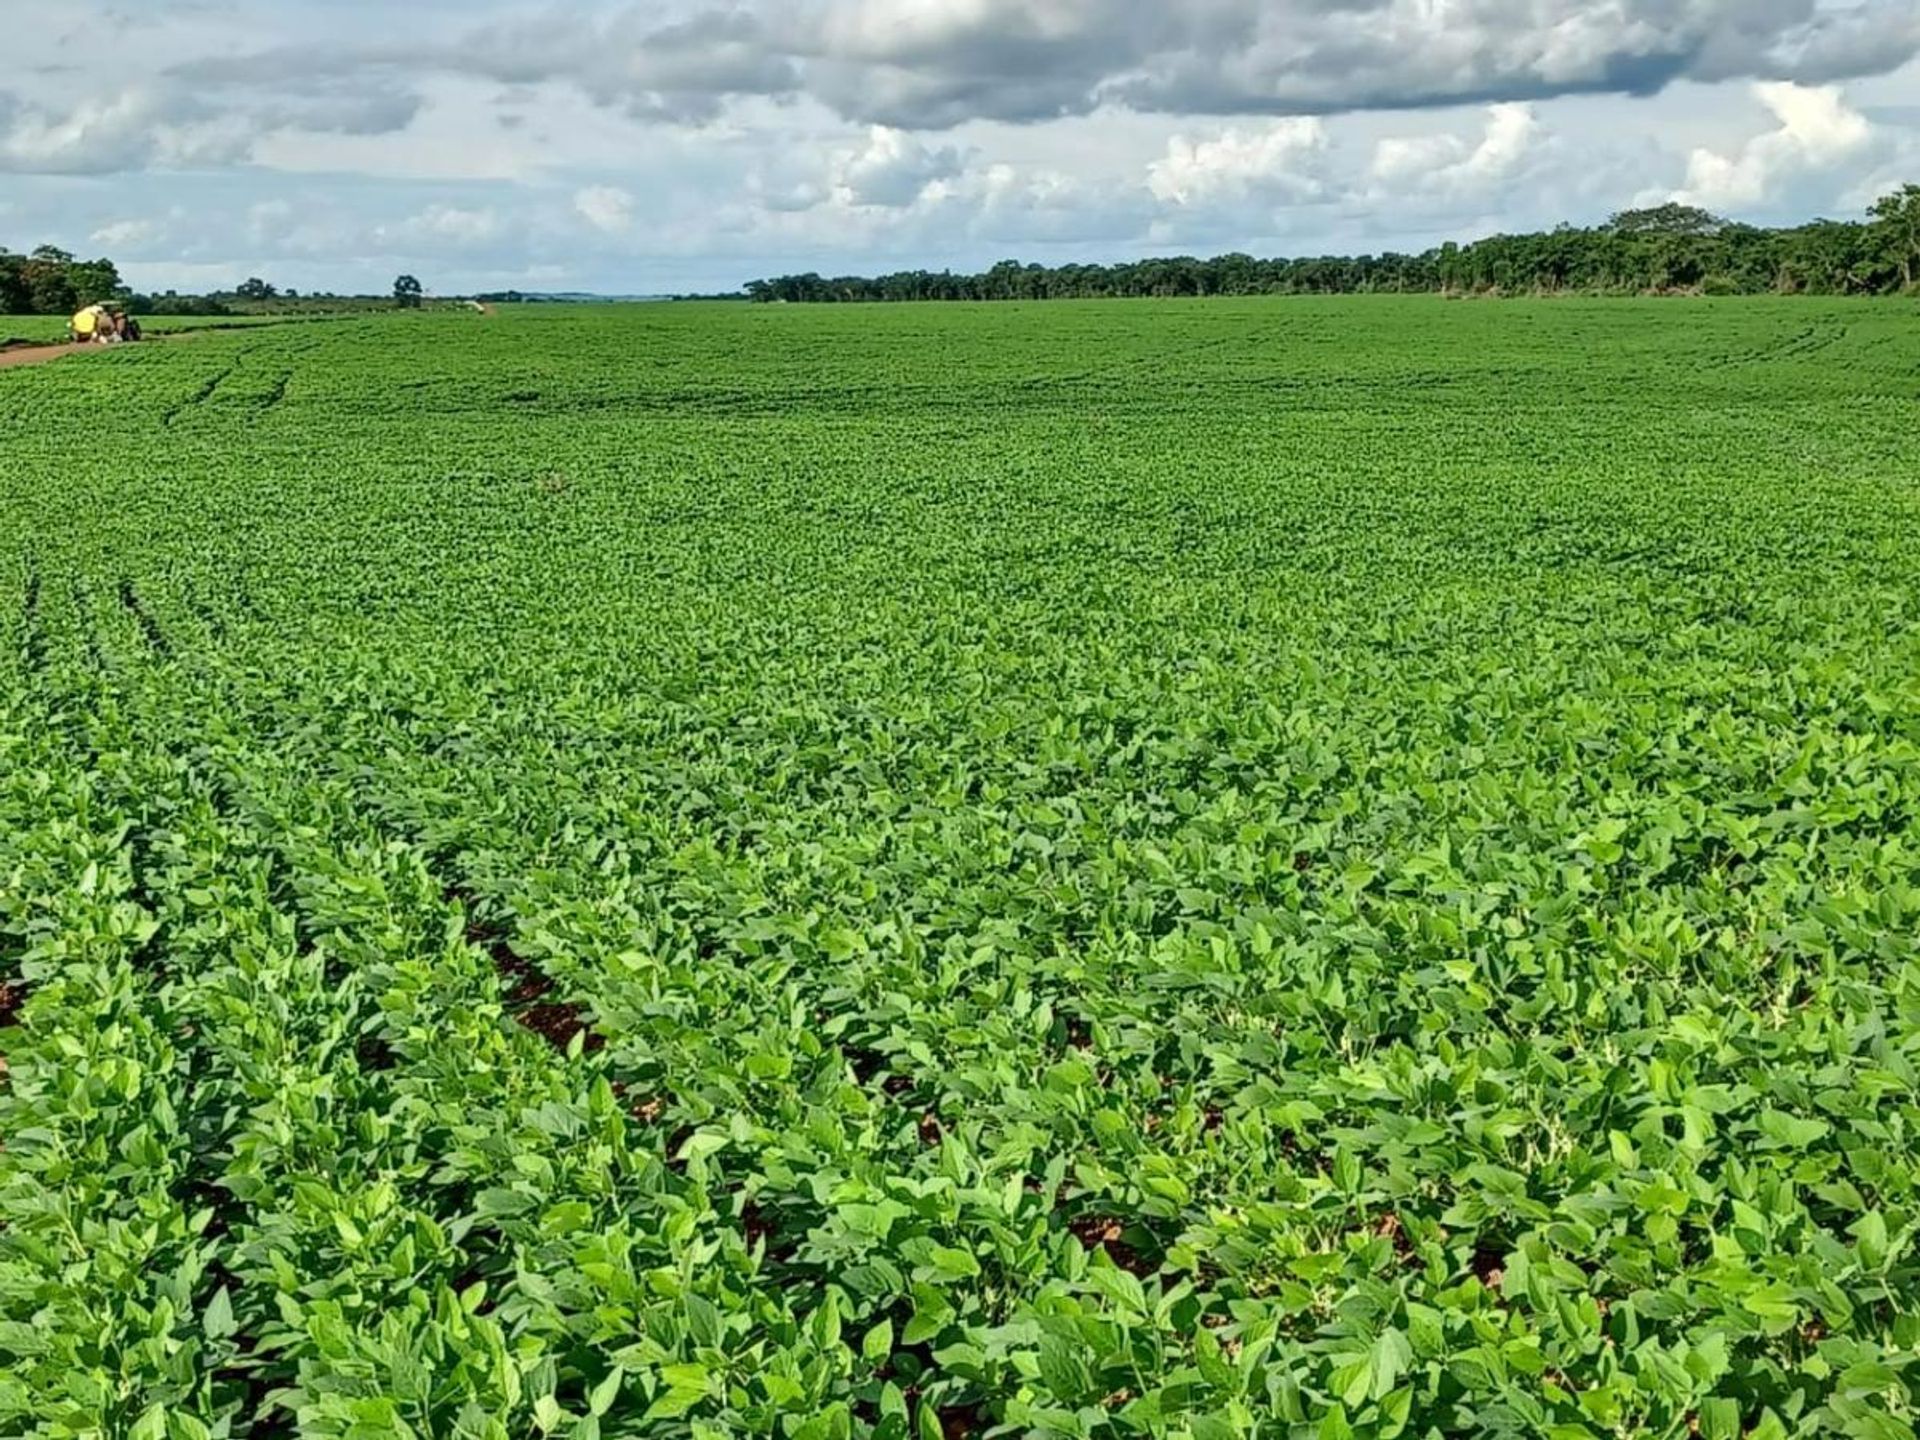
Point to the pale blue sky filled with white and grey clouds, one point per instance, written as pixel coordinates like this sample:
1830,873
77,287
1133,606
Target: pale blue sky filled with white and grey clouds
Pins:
692,145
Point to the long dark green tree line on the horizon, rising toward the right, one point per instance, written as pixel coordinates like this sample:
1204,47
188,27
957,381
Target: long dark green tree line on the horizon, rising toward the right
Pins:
1662,251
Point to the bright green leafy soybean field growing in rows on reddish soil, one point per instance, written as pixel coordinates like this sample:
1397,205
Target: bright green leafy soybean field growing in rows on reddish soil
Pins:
1212,871
